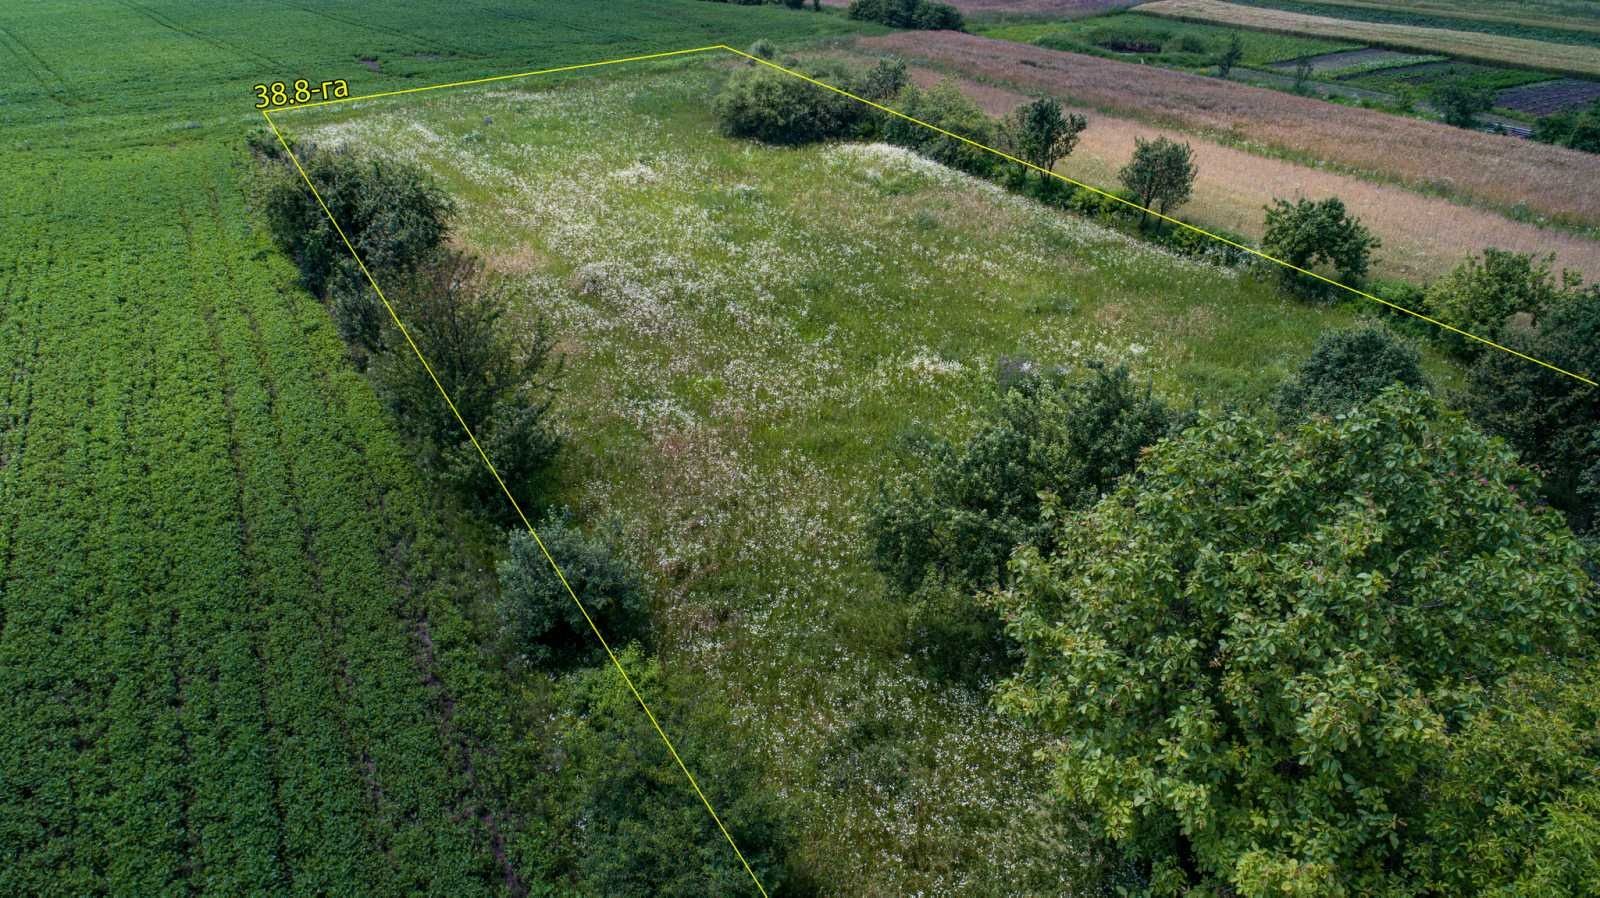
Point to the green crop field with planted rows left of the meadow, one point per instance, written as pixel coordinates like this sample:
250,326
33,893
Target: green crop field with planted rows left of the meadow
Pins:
274,744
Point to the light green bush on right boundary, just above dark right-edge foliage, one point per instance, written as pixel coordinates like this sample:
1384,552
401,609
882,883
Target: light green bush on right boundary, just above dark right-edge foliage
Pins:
1482,294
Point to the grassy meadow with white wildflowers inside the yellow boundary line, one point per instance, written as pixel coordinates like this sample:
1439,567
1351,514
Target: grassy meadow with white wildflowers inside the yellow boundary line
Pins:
750,335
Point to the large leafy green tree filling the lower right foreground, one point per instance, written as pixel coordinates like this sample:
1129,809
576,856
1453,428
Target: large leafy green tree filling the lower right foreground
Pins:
1252,657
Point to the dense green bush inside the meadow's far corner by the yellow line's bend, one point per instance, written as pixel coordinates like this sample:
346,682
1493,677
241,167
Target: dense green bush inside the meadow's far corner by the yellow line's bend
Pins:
770,106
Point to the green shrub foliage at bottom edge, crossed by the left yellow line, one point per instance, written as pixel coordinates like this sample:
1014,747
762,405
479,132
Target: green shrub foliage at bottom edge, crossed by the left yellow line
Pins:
636,830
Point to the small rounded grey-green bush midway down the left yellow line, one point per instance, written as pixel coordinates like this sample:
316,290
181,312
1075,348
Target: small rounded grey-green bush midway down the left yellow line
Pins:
538,619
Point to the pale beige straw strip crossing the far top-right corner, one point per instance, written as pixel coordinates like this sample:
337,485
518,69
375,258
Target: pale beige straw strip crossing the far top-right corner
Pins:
1470,46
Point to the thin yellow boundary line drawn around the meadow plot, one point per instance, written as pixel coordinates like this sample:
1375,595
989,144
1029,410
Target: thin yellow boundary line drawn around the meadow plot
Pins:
881,108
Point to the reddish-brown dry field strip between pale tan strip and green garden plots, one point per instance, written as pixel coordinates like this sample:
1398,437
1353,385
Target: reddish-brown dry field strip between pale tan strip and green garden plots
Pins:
1486,169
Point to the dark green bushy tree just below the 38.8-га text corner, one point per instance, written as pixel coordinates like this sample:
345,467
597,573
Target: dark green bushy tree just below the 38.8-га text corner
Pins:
394,215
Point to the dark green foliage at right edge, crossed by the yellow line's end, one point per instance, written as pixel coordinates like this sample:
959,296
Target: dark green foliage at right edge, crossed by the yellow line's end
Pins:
1548,417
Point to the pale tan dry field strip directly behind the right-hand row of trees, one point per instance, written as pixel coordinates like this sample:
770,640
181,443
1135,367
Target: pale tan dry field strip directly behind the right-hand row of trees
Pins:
1423,236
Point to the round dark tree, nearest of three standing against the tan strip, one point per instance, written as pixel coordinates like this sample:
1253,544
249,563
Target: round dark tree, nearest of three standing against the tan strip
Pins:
1310,235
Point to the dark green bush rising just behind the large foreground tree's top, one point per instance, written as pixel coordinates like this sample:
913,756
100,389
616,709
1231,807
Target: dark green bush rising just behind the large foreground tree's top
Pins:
1346,369
